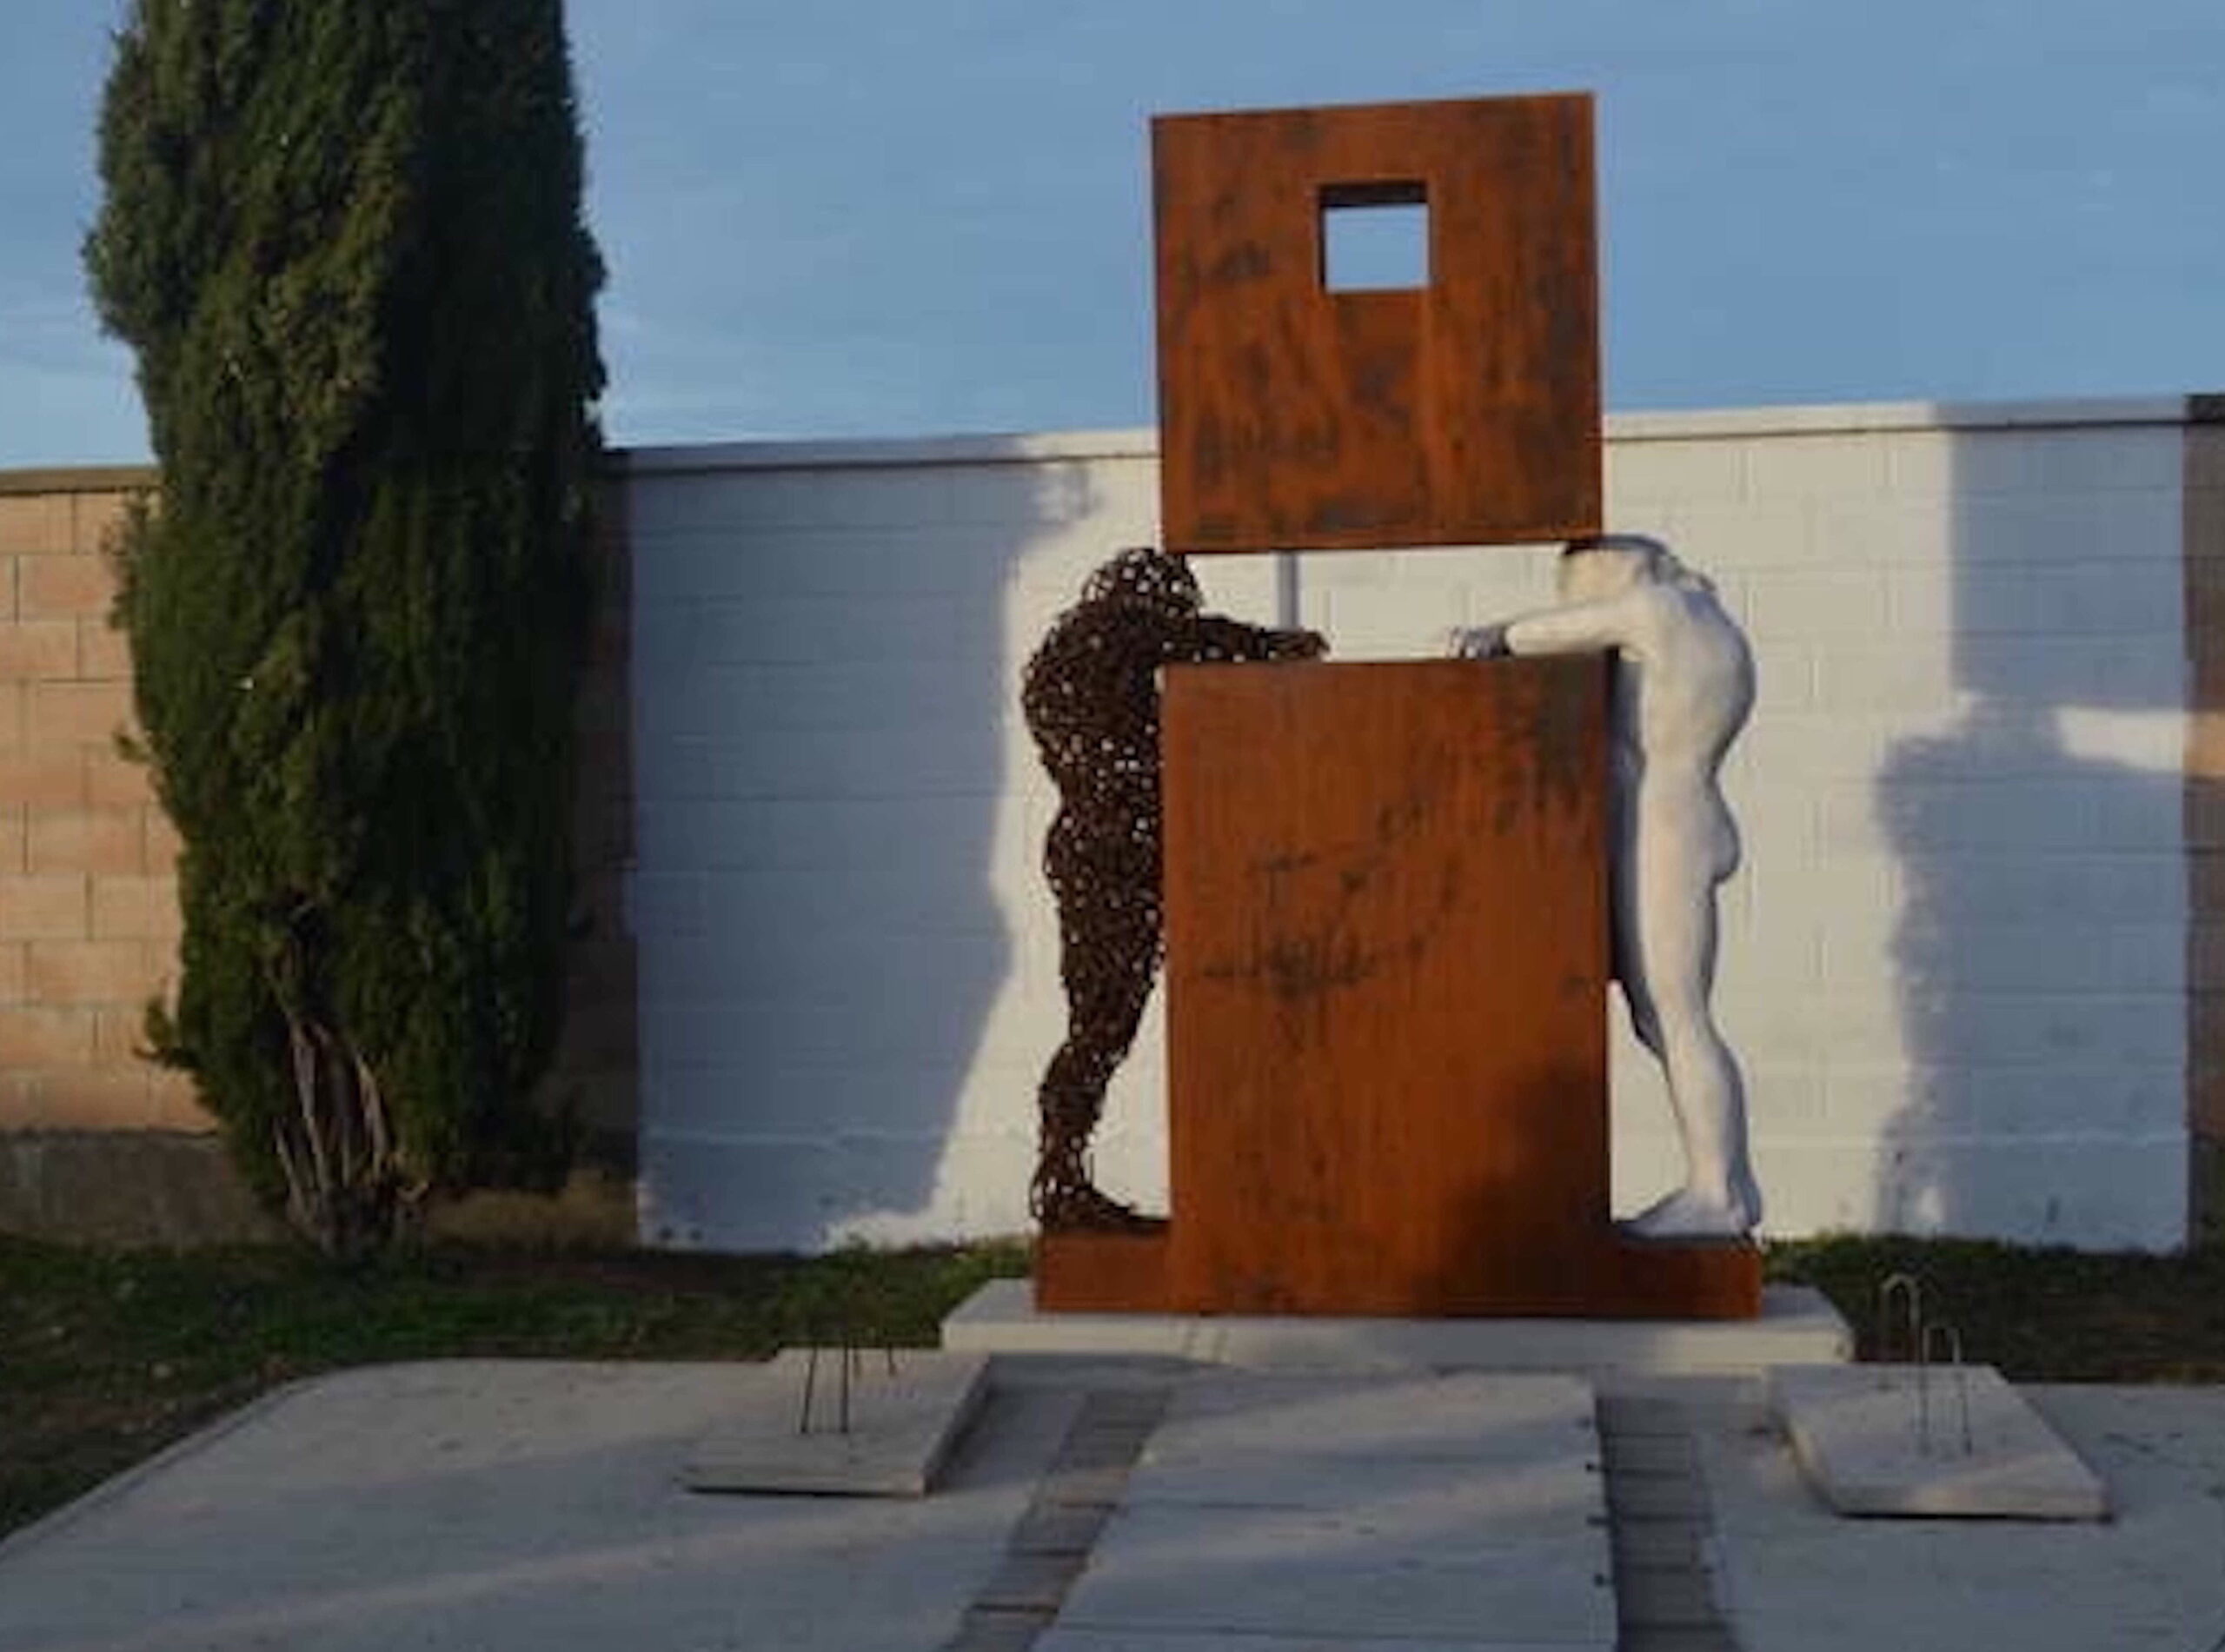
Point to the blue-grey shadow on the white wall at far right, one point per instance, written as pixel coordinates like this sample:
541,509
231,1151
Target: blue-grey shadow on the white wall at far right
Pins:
2037,846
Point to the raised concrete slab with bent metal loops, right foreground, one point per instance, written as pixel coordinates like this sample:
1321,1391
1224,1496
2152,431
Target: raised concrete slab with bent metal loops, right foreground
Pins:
1912,1442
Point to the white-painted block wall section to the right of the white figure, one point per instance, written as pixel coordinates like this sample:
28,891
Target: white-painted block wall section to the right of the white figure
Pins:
1957,959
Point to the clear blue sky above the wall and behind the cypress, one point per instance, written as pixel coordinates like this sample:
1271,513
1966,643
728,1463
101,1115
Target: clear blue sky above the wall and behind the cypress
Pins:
898,217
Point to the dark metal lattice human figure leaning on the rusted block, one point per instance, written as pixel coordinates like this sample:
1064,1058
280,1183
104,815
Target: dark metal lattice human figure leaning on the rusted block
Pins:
1091,699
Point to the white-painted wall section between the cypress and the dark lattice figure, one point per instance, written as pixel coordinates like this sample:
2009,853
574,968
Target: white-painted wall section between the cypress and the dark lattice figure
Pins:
827,742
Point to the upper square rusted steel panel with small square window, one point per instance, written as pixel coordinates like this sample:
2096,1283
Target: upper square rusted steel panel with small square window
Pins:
1463,412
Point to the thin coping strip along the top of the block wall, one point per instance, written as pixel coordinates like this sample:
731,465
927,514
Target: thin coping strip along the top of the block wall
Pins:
1663,426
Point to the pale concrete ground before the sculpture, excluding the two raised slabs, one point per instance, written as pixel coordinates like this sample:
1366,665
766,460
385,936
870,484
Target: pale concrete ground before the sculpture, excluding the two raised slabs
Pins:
540,1506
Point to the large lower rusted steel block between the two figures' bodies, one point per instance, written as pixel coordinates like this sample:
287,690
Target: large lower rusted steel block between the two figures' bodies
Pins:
1387,1019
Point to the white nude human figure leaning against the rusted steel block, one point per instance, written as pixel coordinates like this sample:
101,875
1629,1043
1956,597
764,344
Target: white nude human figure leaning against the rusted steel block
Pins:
1681,693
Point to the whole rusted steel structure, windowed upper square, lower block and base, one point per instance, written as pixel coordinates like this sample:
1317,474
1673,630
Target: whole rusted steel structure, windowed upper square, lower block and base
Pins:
1374,1108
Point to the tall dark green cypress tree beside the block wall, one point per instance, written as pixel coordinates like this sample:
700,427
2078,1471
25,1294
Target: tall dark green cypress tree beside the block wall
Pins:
346,243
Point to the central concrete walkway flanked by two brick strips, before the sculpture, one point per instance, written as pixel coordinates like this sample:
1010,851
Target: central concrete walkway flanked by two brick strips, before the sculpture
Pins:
1425,1513
